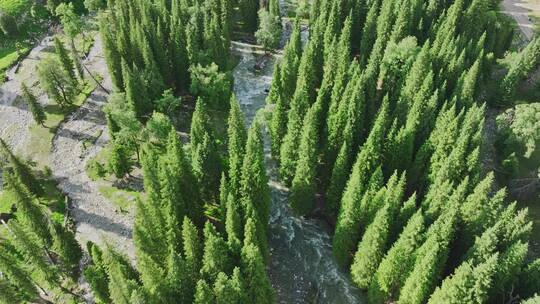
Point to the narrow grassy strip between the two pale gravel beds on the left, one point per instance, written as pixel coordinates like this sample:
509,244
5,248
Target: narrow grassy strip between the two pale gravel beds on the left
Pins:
41,137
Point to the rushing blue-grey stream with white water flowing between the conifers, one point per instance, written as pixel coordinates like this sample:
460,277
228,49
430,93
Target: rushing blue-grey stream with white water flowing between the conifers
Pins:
302,267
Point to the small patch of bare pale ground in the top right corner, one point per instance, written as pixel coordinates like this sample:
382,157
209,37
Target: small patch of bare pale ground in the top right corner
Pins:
521,11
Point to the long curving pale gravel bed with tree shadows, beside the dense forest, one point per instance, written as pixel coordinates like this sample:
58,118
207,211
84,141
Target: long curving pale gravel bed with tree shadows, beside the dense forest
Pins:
96,218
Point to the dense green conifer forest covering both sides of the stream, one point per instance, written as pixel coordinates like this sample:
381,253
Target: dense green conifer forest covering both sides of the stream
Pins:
377,124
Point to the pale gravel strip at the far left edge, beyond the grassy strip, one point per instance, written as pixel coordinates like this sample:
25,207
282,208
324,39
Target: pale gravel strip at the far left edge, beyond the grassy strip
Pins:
14,116
